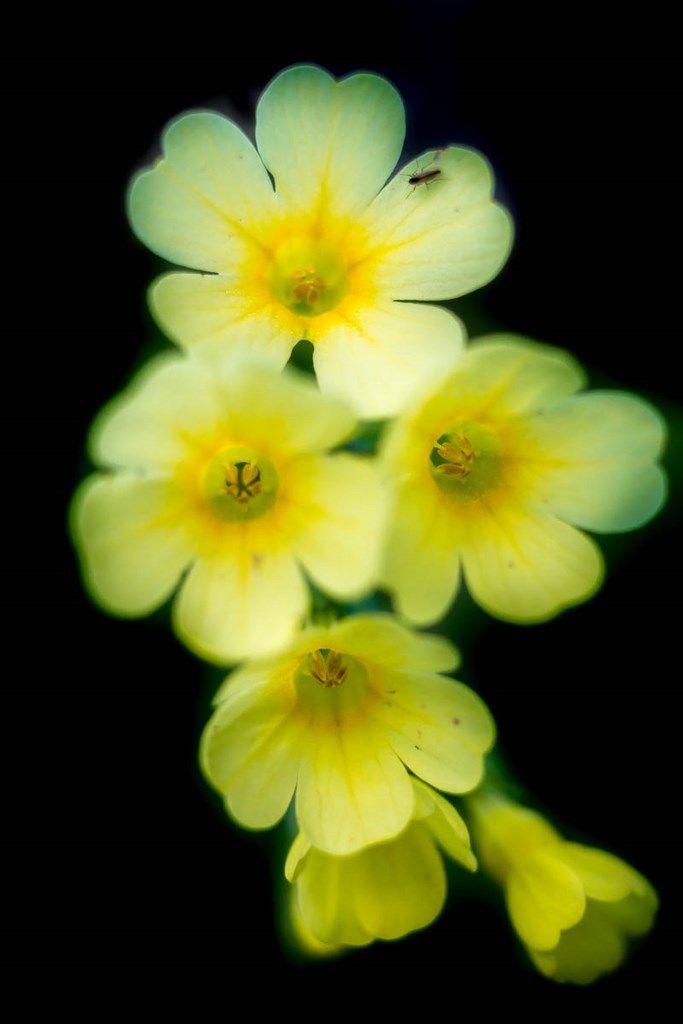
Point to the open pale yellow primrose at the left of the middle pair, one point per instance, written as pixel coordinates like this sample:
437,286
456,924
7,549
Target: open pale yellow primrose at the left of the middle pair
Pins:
221,472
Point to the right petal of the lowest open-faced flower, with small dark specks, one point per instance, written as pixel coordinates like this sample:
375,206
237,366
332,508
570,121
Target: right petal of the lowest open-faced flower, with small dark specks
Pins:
439,728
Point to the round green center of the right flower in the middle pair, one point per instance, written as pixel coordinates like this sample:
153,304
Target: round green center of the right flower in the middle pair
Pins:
466,462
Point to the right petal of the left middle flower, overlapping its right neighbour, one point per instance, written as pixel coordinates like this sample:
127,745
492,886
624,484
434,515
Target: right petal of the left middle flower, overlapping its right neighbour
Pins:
341,545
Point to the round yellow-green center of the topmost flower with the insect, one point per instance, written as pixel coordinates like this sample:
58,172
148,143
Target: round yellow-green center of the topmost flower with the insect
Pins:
309,276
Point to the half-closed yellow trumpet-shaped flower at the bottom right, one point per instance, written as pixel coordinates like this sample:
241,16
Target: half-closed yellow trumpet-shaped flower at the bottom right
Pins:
573,907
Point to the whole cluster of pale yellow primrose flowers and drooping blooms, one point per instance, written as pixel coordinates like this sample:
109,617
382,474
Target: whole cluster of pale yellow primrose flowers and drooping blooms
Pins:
236,486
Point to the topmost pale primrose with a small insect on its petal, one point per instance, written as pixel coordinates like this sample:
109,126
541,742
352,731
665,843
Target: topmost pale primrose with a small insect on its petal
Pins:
327,254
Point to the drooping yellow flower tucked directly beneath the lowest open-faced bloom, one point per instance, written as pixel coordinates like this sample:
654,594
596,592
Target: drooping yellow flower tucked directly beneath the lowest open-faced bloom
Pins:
385,891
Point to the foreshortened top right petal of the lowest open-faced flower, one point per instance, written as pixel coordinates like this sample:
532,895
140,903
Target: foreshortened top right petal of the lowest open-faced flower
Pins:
381,641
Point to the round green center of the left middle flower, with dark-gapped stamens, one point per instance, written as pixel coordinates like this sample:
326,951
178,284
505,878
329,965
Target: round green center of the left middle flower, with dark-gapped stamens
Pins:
240,485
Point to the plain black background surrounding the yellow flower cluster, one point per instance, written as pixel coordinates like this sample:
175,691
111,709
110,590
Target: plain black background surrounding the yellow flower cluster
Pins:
120,859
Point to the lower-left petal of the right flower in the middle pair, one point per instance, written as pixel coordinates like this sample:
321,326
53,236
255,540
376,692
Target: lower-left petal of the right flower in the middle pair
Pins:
422,558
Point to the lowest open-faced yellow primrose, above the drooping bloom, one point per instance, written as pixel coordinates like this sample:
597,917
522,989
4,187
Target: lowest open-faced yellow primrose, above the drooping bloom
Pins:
339,717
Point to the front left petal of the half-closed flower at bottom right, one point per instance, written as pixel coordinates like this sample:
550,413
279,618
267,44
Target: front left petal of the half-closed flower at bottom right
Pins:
544,898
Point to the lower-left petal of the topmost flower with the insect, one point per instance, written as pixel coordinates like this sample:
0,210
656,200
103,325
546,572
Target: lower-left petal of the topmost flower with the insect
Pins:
205,310
